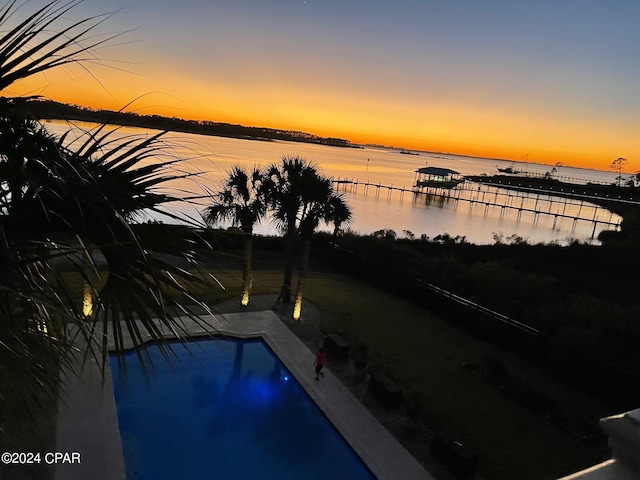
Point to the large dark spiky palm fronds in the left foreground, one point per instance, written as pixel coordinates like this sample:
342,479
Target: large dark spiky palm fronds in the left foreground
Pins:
69,211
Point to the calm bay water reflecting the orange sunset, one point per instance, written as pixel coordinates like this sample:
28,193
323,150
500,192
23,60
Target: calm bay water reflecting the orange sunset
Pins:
215,156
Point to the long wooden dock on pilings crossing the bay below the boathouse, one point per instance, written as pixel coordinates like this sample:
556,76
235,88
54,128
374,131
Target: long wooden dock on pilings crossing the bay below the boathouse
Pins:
534,201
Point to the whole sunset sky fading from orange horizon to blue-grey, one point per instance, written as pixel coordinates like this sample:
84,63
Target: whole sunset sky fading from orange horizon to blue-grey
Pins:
546,80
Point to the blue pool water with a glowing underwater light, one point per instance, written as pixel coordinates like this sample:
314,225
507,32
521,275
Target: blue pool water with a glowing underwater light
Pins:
224,409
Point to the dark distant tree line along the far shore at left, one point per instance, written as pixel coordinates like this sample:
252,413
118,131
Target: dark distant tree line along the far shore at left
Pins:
50,110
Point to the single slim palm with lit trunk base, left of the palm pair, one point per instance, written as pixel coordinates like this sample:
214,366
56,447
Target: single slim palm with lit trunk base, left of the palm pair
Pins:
242,202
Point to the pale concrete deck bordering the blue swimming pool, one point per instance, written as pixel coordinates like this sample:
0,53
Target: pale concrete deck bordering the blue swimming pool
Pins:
87,421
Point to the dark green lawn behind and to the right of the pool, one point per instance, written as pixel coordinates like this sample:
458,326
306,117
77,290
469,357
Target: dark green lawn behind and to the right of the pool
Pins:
431,359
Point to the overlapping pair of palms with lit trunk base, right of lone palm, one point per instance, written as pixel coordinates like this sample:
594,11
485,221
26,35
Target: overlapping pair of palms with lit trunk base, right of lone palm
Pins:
302,199
